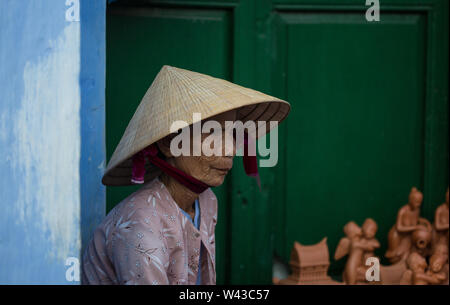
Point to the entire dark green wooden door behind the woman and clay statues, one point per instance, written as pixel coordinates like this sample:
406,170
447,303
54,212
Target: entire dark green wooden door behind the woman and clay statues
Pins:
369,115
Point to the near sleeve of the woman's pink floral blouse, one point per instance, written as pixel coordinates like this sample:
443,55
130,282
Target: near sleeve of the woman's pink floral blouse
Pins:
138,252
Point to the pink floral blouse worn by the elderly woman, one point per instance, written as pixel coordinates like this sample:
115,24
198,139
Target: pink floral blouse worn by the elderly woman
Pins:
146,239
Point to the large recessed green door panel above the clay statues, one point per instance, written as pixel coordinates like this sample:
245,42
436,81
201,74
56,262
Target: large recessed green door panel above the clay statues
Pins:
355,139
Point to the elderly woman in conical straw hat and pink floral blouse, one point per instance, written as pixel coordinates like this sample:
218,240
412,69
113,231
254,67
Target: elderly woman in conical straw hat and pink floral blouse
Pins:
164,232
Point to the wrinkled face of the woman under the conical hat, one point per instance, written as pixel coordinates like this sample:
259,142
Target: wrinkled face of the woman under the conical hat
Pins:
210,169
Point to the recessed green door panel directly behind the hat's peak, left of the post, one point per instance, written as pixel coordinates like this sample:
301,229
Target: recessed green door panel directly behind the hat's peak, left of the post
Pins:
140,40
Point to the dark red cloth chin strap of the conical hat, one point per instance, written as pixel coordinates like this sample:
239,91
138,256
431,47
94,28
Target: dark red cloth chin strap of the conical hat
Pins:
195,185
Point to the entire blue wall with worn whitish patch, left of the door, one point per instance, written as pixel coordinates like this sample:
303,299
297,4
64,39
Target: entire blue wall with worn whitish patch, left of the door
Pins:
52,155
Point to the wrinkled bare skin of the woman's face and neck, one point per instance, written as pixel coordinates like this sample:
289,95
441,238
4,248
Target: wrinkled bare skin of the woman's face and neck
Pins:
211,170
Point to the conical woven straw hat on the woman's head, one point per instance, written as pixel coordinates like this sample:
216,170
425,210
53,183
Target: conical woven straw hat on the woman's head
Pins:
174,95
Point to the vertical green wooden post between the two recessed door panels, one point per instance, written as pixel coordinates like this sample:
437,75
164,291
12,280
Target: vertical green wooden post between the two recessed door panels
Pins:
251,211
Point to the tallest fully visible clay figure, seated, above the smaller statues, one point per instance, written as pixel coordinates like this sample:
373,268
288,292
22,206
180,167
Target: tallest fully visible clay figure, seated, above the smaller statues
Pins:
408,220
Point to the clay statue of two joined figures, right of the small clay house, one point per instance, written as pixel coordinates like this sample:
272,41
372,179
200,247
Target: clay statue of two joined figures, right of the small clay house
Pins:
355,246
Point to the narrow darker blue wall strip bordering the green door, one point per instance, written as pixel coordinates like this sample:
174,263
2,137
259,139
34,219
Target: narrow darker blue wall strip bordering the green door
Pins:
92,86
